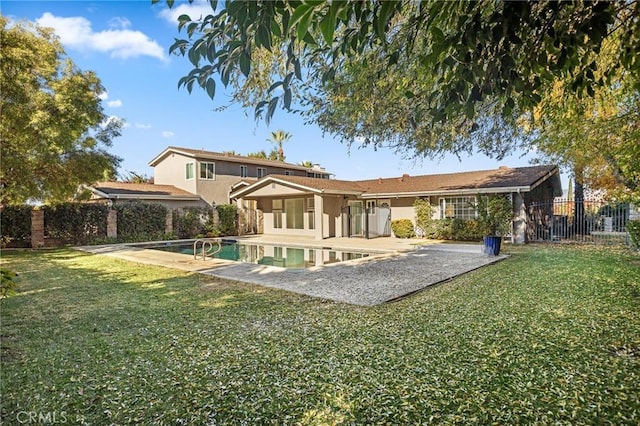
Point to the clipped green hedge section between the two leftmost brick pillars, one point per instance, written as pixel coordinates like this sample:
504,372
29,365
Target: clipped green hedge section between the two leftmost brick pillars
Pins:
75,223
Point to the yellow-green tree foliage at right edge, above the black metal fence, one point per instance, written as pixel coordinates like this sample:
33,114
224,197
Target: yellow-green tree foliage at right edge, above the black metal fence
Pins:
598,137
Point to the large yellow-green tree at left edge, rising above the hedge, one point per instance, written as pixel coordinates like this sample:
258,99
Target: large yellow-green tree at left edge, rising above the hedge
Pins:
53,131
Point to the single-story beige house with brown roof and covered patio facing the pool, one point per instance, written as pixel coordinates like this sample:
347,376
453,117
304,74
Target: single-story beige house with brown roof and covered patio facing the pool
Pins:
323,208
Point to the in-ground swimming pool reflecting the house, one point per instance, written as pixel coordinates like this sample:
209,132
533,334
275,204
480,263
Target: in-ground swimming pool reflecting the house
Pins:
267,254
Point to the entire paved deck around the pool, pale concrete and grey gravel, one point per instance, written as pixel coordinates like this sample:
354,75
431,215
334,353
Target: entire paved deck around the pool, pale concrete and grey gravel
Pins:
396,267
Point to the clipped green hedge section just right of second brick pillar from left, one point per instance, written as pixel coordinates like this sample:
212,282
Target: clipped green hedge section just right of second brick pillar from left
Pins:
139,221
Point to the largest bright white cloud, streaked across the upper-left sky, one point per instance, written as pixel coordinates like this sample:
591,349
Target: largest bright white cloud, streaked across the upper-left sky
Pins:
119,42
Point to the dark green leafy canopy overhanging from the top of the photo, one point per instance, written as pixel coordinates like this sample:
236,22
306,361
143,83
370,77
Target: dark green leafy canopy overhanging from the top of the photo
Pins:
428,77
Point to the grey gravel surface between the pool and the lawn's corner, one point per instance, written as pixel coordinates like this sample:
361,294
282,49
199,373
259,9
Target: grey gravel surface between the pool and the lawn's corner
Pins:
369,281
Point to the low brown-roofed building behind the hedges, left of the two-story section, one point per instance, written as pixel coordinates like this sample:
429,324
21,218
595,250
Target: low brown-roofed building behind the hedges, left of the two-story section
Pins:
167,195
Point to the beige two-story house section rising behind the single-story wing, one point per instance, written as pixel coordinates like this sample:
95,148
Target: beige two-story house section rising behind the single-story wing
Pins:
211,175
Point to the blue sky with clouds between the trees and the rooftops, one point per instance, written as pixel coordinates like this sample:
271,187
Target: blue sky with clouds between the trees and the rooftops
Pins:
127,42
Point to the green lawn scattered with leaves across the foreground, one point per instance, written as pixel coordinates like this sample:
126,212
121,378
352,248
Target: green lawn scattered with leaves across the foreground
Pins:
551,335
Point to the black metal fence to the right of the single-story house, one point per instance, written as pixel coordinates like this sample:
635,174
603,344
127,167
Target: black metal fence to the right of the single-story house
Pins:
591,221
